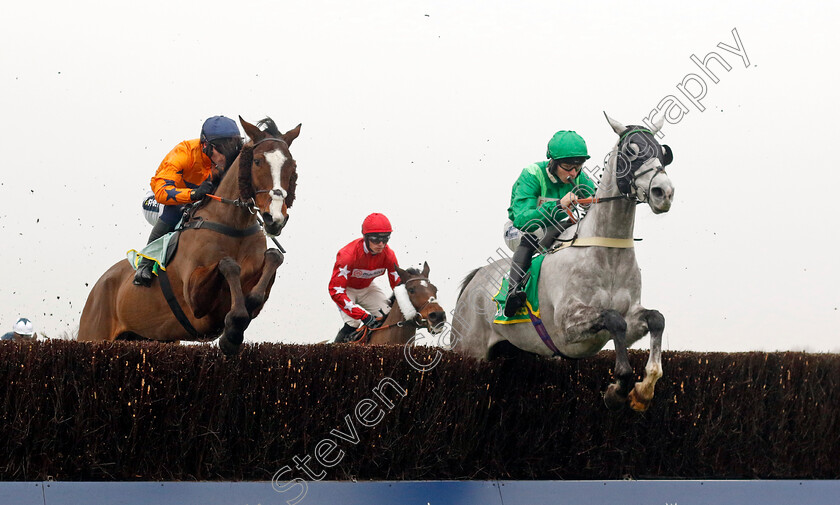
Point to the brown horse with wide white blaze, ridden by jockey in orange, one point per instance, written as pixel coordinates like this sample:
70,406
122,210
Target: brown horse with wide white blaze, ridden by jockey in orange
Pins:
223,272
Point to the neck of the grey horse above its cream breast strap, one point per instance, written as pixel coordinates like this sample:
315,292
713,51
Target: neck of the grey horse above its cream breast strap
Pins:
613,219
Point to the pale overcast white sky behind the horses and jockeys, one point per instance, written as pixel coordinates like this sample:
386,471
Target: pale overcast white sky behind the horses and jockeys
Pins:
427,112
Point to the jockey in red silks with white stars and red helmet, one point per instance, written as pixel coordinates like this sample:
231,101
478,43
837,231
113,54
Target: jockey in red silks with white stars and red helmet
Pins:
356,265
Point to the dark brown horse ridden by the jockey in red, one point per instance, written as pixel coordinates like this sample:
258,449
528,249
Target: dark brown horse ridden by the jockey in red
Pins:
414,306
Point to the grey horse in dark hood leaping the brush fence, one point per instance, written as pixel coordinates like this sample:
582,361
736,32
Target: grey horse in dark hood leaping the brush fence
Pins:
589,292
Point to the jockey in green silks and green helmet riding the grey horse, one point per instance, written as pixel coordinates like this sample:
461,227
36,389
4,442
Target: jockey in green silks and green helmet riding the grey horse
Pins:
537,202
